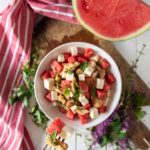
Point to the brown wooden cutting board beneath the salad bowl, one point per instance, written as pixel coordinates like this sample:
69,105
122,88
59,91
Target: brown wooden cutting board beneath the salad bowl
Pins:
51,33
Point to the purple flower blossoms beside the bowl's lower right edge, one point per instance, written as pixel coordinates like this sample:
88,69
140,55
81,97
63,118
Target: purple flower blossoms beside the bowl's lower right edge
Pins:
102,129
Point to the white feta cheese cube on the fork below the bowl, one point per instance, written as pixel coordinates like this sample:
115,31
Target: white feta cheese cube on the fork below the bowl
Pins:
66,132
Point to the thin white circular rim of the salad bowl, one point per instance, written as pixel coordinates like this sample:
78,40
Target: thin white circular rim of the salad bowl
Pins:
117,98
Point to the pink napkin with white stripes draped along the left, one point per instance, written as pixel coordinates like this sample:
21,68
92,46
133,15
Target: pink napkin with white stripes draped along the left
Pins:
16,26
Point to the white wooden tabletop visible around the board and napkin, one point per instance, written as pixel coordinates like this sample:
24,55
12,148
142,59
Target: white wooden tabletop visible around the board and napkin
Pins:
129,50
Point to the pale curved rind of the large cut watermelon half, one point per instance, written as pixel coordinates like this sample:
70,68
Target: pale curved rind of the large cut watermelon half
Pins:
122,38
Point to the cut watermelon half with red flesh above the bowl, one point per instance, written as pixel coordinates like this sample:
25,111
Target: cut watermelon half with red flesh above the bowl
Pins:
113,20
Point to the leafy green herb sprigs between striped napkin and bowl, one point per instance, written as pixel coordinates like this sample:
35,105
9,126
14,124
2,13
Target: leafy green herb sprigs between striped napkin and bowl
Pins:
26,91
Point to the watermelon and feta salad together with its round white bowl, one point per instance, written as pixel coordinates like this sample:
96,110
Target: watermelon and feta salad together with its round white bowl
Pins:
78,82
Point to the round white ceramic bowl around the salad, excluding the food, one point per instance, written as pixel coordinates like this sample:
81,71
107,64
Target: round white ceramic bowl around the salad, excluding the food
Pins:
52,112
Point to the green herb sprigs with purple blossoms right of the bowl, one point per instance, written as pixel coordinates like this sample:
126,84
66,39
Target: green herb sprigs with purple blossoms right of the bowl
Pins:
115,128
